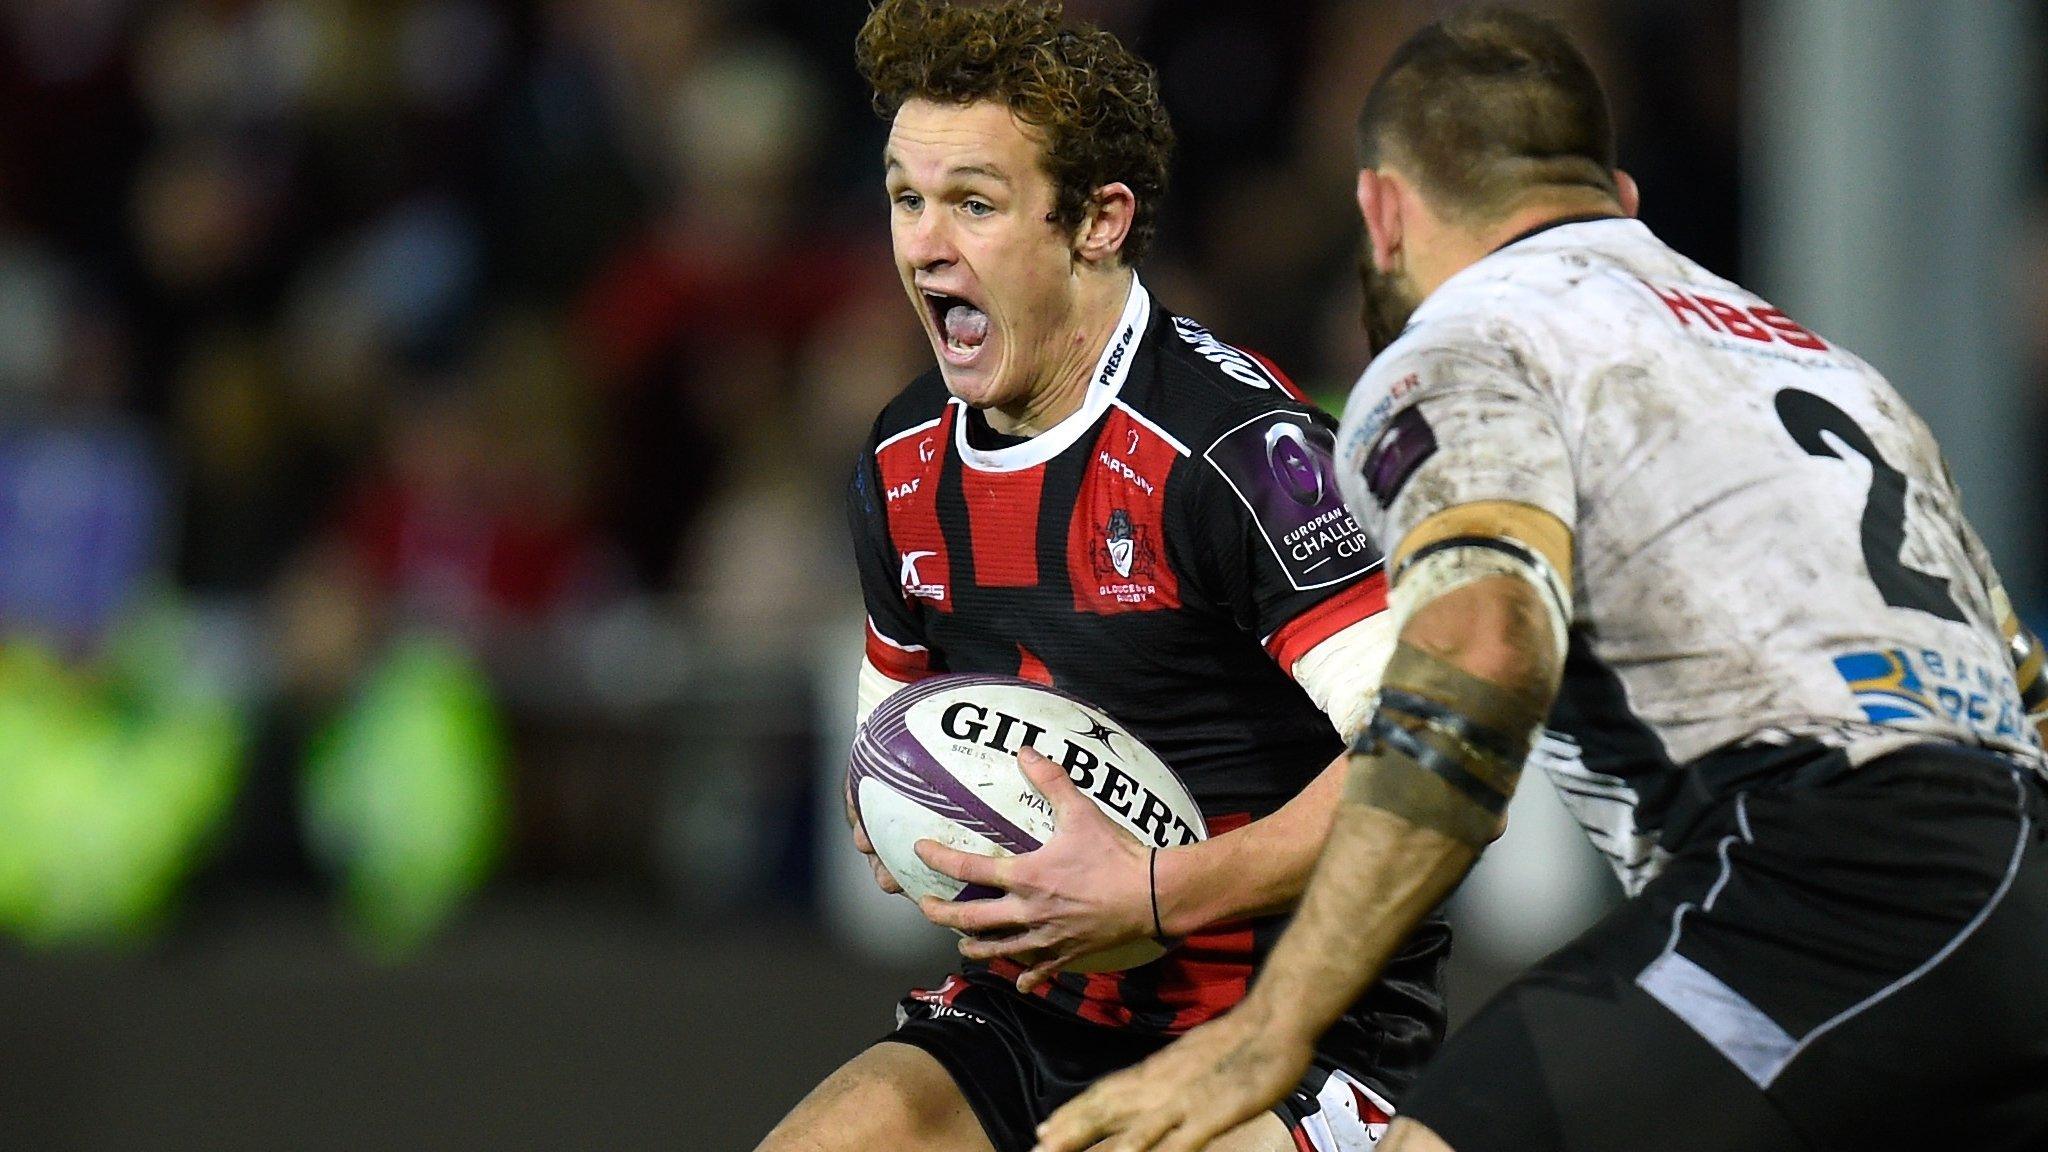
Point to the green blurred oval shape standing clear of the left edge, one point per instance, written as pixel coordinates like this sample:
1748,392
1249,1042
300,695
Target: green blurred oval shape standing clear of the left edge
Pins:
404,794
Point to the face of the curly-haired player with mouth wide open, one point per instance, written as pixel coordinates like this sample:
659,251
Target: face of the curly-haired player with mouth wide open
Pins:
986,270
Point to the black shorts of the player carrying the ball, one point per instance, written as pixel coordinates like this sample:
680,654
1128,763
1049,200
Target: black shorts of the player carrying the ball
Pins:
1017,1063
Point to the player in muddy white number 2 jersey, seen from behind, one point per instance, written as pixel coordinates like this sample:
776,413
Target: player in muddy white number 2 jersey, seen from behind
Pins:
1727,561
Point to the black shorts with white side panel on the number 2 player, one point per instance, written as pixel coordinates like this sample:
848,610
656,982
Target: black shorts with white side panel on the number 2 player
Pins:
1859,964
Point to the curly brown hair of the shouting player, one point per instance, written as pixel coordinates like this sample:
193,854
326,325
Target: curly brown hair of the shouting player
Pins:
1095,104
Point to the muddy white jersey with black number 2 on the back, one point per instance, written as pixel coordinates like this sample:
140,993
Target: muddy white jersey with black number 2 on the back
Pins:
1768,548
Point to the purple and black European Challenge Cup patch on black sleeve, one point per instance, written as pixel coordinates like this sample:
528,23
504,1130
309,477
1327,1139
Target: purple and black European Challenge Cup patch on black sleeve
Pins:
1281,468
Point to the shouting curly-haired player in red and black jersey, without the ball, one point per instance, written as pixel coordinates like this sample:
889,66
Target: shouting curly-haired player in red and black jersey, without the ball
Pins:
1101,495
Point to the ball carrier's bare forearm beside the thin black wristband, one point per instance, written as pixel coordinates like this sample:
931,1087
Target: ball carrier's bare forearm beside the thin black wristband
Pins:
1250,872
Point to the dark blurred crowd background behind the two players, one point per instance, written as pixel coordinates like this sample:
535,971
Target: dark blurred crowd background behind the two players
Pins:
423,429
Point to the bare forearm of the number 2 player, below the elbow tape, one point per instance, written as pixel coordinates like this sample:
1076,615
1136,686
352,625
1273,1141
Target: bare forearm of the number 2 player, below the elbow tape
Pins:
1345,930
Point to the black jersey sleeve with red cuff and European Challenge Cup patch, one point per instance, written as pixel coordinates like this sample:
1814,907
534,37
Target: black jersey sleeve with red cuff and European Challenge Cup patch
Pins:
1273,540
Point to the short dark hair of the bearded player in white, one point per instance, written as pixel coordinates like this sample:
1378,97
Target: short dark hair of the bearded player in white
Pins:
1486,108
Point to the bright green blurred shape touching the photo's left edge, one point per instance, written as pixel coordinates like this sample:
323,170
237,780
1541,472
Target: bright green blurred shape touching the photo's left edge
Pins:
112,788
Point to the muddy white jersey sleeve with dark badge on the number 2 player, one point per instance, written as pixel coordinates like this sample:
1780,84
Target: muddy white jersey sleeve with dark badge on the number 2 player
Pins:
1453,415
